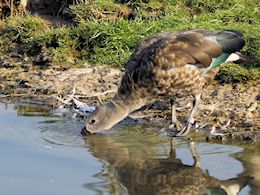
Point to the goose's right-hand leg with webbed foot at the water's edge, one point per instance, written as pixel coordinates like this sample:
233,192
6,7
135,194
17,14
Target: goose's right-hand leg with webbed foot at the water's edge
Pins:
190,120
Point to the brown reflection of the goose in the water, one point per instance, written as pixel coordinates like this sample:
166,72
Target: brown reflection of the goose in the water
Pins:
140,172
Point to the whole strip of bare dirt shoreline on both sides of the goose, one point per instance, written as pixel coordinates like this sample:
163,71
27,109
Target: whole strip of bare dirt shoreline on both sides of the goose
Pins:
222,103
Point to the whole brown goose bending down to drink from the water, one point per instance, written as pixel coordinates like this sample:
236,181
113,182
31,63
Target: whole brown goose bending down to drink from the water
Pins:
166,66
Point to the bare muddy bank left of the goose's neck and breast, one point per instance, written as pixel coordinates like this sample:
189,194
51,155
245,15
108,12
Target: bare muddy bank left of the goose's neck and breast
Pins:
21,79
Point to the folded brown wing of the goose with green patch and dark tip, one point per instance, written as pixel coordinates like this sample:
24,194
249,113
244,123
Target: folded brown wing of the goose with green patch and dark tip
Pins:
158,57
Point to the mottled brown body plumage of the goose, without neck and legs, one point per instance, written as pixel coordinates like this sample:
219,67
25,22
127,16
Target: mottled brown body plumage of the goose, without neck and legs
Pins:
175,64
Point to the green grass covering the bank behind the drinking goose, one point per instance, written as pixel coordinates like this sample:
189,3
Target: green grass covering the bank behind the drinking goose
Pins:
106,32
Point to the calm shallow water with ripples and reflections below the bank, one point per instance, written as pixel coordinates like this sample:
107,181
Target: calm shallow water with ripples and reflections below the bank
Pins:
42,152
